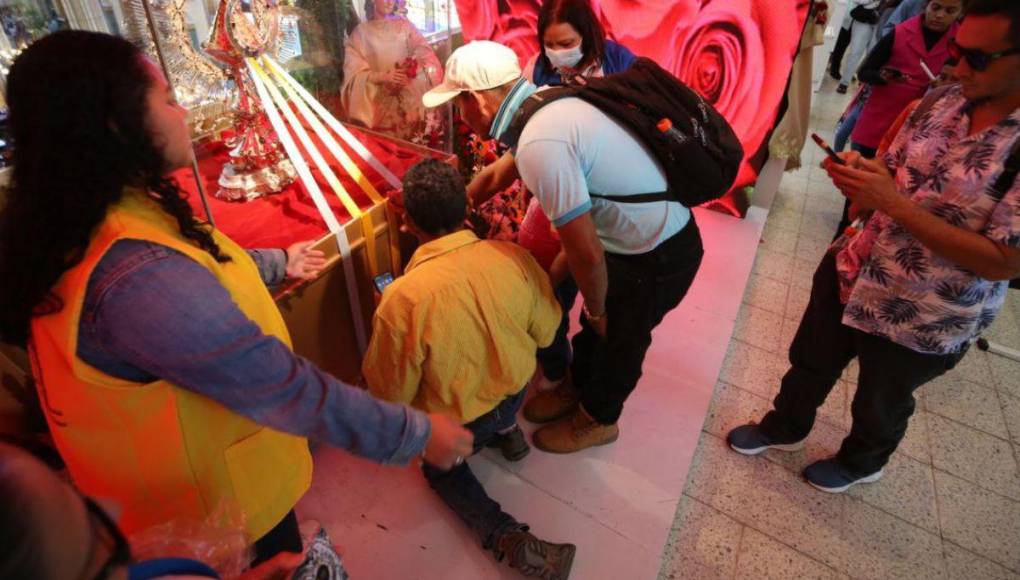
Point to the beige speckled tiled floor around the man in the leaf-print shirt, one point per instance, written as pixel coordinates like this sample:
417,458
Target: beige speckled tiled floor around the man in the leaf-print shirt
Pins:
949,506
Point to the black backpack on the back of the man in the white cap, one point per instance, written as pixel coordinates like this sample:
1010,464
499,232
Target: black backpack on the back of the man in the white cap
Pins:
697,149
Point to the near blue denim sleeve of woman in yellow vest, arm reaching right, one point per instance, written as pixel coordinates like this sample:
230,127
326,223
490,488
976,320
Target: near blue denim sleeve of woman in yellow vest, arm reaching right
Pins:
154,309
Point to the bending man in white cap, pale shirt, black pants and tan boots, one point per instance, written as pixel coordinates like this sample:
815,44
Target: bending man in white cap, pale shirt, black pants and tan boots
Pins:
633,262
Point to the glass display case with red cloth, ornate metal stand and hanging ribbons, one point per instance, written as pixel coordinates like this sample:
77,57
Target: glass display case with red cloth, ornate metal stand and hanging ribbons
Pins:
305,115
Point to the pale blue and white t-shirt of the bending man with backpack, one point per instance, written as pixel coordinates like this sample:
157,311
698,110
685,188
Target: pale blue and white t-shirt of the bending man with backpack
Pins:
571,148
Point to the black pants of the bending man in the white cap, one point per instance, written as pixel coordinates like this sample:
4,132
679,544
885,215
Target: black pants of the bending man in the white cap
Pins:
642,290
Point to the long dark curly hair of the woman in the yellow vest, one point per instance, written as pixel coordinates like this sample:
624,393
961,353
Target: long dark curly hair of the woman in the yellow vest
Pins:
78,120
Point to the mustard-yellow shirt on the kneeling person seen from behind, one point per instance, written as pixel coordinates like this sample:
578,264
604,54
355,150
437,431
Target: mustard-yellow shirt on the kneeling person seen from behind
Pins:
457,334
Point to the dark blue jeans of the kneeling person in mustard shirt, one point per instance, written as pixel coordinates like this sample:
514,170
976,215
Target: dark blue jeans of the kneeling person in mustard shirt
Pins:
463,492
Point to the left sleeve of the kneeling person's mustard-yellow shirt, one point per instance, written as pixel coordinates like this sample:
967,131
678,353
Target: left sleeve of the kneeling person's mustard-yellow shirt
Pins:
393,362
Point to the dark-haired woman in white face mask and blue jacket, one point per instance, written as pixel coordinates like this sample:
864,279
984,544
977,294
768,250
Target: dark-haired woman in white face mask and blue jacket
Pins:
574,44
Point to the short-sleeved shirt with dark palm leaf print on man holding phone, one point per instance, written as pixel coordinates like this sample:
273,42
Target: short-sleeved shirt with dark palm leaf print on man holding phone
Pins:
905,292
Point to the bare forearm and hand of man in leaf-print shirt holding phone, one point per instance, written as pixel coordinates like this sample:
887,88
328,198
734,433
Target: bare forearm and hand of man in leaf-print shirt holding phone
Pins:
872,187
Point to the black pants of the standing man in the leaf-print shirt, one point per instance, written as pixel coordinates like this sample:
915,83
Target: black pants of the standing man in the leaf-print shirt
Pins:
890,375
